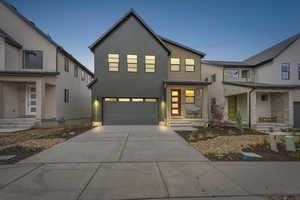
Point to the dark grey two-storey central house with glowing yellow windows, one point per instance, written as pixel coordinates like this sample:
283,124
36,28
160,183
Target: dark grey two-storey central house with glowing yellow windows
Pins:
142,78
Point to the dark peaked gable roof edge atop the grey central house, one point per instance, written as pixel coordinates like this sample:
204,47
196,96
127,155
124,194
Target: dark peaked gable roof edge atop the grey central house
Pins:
131,12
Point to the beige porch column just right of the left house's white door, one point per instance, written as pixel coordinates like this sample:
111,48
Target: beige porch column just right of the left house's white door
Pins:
40,96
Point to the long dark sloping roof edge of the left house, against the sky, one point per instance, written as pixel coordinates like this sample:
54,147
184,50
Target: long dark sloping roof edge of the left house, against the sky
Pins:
46,36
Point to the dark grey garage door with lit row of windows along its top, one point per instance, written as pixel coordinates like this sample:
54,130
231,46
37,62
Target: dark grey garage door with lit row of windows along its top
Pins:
130,111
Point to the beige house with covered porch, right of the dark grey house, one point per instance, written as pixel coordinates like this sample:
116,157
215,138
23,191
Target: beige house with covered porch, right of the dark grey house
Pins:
264,89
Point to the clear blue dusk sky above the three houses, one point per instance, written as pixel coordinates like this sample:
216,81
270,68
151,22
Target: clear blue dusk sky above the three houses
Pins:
223,29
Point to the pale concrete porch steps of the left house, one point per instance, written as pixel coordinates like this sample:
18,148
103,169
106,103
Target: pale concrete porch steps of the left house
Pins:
17,123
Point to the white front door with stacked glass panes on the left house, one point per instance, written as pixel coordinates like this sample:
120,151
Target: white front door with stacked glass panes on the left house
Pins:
31,100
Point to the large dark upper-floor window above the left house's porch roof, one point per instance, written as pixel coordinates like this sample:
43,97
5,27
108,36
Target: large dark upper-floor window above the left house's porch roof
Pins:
33,59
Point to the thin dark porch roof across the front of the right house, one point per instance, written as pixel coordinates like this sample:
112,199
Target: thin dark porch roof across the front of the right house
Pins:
260,85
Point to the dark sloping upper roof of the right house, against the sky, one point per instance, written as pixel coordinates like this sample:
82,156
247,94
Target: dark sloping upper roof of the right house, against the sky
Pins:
271,52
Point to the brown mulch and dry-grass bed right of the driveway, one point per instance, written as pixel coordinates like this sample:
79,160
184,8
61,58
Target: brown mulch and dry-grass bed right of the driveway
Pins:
210,134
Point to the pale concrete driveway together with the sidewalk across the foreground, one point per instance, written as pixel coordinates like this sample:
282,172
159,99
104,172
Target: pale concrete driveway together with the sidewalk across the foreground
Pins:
140,162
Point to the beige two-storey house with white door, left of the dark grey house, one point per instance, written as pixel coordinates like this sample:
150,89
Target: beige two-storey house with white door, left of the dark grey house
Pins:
40,83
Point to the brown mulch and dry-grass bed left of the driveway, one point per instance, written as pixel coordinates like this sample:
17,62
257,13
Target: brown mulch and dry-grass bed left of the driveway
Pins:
19,147
